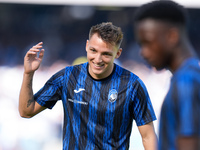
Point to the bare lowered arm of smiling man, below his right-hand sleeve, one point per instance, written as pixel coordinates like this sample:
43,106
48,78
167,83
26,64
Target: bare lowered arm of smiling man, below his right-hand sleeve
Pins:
149,138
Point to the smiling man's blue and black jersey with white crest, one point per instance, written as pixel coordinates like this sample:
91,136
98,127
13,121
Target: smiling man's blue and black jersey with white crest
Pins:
98,114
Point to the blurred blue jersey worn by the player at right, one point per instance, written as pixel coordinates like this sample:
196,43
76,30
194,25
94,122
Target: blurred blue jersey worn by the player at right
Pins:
180,113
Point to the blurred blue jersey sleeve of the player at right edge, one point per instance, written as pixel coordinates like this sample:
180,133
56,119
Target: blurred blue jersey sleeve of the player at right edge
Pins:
187,105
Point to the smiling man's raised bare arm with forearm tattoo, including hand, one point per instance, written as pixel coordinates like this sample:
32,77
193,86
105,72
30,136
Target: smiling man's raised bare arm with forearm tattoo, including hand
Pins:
28,107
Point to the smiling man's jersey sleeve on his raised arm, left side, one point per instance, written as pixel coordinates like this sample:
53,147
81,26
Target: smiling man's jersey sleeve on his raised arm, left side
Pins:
50,93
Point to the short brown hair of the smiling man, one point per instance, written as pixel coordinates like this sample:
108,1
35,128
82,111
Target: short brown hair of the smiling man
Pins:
108,33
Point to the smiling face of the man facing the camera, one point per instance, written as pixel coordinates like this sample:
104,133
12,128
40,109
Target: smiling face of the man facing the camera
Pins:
100,57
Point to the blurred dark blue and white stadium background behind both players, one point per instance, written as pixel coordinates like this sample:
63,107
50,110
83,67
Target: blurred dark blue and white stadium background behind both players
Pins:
63,26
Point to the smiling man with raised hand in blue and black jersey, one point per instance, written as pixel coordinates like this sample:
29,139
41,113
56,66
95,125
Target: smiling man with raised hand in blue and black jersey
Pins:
100,99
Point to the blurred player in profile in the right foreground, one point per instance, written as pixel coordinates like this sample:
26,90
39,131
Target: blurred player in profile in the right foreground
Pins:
160,28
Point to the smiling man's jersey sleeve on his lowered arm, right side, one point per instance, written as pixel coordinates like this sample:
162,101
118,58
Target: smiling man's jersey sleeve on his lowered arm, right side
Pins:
143,111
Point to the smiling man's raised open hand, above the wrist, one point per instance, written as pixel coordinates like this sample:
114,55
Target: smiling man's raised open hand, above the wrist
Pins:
31,60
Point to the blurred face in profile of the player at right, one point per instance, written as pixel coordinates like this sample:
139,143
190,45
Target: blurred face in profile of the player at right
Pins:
154,40
